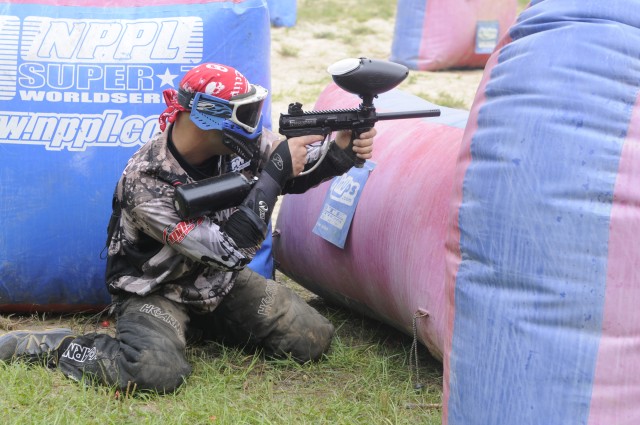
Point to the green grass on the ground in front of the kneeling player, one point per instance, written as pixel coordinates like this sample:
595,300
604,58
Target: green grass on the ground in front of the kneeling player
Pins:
365,379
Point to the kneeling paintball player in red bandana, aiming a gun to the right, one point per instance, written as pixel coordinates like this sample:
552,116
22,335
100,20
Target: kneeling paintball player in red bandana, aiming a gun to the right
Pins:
173,279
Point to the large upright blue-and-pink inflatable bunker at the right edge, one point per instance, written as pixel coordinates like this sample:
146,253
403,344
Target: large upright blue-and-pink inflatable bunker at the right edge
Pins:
542,255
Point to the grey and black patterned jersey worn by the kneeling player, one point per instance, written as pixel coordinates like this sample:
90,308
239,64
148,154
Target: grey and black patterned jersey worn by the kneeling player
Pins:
151,250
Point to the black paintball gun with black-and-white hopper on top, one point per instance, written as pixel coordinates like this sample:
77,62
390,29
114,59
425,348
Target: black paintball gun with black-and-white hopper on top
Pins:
365,77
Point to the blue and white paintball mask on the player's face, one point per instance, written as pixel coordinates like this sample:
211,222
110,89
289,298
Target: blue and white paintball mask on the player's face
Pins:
239,118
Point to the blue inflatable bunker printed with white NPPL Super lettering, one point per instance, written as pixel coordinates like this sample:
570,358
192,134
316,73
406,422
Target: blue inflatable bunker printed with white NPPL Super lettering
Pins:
80,90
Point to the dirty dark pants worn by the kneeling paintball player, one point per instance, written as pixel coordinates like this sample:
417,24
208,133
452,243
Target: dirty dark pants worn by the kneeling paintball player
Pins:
151,335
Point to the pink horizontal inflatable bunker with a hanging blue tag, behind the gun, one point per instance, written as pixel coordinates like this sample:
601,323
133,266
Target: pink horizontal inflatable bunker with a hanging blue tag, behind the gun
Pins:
392,266
